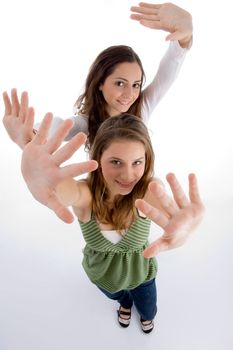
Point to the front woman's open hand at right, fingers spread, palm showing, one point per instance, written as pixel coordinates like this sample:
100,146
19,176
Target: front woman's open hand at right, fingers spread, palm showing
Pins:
184,214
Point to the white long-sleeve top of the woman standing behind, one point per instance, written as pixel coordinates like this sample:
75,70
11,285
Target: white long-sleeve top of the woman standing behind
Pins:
168,70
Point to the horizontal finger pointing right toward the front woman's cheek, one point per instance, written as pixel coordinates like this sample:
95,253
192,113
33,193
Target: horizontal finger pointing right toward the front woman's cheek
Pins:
74,170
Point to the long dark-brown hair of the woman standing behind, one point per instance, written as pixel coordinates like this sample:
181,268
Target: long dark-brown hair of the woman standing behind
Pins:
92,103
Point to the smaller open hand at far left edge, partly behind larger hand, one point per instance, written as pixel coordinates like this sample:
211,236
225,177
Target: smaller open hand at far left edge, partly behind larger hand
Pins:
18,118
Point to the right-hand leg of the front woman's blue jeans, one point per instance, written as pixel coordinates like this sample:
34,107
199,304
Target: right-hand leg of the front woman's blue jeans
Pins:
145,299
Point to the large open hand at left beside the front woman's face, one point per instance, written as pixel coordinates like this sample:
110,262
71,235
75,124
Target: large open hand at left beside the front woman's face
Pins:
41,162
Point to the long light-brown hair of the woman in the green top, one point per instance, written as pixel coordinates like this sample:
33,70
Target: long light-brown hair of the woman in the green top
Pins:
122,127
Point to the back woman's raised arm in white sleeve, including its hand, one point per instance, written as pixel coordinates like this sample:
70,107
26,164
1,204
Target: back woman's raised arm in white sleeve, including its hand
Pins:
178,22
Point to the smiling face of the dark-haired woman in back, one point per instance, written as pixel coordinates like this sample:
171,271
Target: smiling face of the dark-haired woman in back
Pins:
121,88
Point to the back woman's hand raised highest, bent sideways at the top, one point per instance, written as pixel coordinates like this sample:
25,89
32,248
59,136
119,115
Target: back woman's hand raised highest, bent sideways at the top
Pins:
167,17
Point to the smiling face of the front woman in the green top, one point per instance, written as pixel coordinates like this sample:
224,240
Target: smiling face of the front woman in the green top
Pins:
123,165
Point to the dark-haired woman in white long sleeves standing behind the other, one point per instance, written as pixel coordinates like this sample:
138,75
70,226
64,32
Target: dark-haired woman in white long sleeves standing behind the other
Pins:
114,83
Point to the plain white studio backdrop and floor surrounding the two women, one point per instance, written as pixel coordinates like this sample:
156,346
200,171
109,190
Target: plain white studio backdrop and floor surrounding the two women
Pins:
46,301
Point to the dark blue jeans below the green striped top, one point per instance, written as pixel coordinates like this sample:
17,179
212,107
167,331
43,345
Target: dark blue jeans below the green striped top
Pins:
144,297
